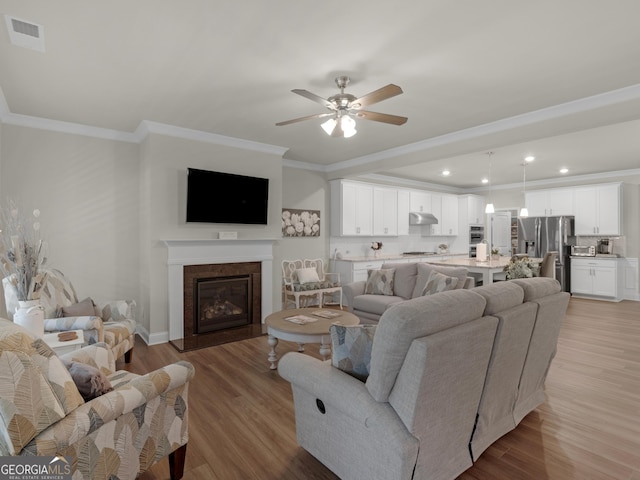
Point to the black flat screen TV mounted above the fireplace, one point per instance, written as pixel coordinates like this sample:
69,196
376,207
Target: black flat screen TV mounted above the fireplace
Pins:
216,197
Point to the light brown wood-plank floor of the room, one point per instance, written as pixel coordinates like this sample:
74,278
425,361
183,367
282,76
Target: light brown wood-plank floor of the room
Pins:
242,426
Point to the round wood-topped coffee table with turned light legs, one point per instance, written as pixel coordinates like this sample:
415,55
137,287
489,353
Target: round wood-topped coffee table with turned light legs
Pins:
278,327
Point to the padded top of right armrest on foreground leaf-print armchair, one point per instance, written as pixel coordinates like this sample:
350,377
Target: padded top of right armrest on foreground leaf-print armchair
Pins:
128,398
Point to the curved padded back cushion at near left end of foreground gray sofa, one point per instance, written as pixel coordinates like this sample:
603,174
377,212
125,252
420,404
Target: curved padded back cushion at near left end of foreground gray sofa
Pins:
412,319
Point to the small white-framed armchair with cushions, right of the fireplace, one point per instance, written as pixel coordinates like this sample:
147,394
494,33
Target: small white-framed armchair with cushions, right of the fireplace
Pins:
307,278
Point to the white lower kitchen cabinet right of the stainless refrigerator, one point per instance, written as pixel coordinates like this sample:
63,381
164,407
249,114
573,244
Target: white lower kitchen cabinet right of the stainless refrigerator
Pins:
595,277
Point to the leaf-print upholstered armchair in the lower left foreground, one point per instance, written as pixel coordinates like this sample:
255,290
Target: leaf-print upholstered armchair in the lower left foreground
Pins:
118,434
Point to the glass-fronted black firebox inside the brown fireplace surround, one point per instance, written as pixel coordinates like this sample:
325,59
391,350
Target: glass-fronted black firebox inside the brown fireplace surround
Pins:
222,302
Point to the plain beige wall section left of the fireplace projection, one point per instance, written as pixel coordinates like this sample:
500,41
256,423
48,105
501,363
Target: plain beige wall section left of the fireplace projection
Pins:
87,192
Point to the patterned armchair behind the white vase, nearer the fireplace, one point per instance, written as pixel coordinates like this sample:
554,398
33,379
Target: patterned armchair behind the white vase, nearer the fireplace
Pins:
110,322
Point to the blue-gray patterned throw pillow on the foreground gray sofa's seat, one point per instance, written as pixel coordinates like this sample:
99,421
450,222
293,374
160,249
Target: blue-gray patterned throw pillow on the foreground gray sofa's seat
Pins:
351,349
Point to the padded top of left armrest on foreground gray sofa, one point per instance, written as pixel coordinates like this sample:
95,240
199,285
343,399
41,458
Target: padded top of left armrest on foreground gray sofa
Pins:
335,388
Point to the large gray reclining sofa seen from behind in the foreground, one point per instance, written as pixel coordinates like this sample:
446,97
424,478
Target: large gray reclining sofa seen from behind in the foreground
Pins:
449,374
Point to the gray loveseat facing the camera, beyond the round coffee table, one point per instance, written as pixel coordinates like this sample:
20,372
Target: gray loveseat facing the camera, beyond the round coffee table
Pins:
409,279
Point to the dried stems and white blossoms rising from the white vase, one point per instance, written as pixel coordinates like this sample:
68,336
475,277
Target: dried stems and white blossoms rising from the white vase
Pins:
22,252
